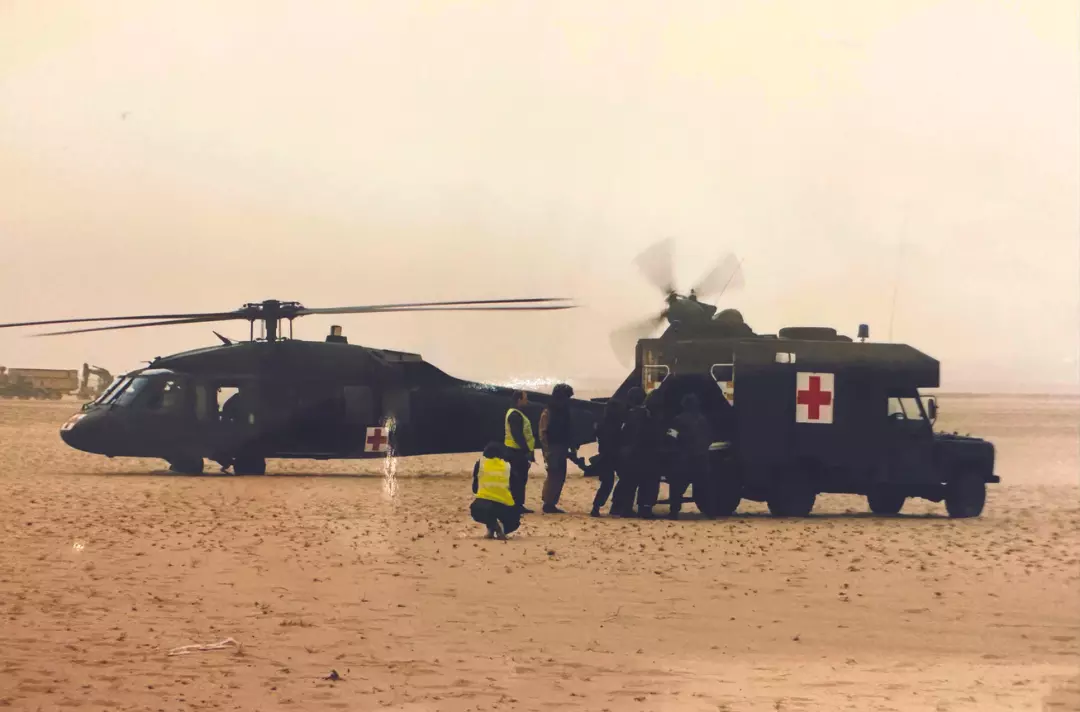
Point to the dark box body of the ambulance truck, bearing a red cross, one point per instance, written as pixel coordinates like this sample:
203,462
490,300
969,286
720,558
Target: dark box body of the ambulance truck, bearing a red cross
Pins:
857,447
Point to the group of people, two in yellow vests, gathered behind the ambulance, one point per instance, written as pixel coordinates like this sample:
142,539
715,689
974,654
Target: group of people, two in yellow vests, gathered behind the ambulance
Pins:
636,448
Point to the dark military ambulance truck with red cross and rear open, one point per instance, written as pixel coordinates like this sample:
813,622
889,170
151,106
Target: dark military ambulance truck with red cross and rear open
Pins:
808,412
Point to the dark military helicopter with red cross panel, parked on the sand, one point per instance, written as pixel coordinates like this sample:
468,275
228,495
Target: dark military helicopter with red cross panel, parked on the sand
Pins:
239,404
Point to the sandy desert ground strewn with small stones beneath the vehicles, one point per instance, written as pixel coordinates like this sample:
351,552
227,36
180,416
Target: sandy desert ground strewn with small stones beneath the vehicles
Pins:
375,572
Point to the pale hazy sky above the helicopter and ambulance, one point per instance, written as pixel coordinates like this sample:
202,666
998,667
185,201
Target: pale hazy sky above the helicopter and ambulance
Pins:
196,156
